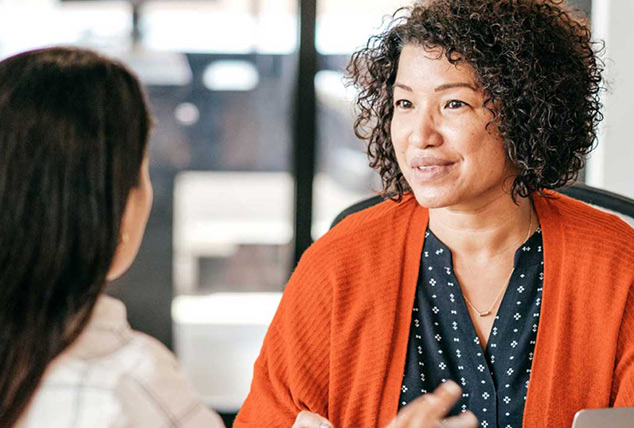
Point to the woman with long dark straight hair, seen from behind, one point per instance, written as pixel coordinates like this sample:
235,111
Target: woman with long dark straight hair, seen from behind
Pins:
75,196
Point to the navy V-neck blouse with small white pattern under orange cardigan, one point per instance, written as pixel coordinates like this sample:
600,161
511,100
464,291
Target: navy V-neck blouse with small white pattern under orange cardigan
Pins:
443,343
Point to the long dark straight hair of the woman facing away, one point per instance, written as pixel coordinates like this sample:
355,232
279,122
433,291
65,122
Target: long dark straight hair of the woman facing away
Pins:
73,131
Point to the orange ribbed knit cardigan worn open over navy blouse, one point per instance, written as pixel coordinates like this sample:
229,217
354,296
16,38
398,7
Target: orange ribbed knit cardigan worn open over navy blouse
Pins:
338,341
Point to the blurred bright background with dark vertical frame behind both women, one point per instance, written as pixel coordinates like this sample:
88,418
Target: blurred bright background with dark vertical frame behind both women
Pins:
253,153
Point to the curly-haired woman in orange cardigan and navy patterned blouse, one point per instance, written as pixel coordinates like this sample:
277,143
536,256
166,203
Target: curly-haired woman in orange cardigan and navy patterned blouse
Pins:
474,271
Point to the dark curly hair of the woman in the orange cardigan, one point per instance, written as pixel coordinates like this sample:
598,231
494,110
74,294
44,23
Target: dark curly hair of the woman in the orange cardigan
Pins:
535,62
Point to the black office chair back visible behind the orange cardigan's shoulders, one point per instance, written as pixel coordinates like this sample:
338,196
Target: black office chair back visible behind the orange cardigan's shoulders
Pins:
599,198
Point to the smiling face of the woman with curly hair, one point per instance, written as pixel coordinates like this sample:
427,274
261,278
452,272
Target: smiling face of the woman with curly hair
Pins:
439,133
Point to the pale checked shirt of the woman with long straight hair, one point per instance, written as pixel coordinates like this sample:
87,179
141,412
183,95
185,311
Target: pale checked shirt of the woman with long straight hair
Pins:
113,376
